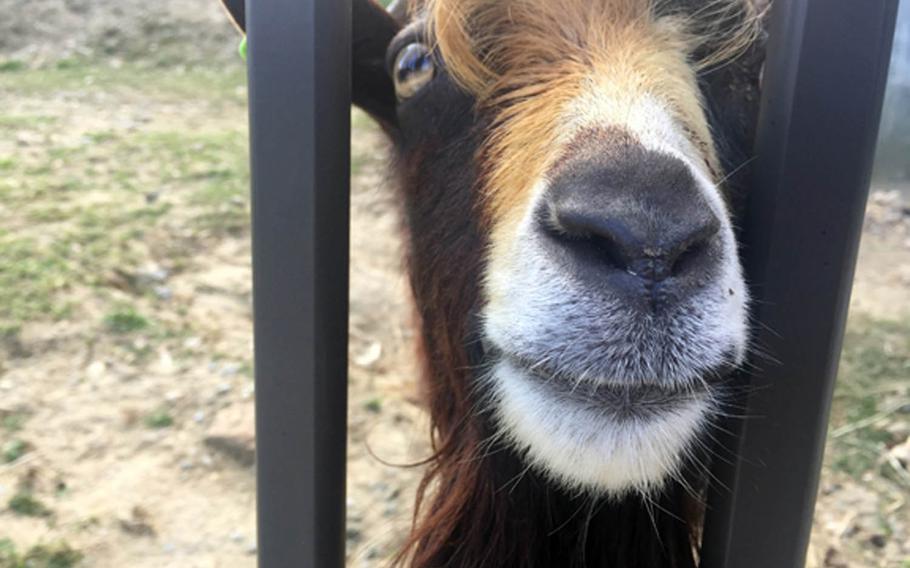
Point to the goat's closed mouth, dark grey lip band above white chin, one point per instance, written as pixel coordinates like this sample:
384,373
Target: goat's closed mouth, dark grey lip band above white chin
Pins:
640,400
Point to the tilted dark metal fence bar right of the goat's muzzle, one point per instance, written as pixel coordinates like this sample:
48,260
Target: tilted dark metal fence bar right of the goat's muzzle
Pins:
823,86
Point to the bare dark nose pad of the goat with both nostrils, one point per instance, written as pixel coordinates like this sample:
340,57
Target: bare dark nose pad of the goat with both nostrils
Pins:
651,248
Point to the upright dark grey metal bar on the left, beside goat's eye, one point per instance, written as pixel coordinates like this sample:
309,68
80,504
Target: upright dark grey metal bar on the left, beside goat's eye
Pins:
299,61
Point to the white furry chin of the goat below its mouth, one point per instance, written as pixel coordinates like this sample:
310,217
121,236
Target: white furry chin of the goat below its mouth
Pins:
584,448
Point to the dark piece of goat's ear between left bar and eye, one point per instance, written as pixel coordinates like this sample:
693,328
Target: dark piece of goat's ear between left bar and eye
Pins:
371,86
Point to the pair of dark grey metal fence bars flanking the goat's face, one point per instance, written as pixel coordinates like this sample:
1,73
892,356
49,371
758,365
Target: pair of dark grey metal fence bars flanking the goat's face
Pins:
823,87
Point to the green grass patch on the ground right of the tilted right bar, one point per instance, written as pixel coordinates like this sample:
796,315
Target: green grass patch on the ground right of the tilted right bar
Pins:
871,386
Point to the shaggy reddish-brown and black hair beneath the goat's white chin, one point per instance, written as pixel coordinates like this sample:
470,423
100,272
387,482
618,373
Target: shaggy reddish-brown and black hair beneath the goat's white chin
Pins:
480,504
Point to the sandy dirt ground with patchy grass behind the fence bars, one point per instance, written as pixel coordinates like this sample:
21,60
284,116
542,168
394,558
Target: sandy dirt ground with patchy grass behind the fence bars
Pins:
125,334
